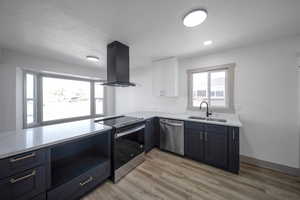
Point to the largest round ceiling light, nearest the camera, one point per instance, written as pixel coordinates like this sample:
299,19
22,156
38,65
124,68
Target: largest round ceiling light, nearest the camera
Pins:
194,17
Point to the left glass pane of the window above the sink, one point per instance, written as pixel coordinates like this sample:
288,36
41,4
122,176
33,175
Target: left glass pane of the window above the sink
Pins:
200,88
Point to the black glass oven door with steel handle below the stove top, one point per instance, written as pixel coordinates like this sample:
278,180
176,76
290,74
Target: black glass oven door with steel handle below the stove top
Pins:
128,143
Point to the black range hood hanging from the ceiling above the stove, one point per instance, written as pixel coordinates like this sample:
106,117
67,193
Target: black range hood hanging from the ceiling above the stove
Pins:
118,65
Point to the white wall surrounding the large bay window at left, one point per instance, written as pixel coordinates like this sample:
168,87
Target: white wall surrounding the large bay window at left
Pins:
11,66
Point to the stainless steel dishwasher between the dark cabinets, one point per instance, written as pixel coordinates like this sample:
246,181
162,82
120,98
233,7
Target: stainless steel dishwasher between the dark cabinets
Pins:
172,136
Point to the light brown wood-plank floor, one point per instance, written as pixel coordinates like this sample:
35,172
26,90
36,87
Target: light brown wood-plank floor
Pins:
167,177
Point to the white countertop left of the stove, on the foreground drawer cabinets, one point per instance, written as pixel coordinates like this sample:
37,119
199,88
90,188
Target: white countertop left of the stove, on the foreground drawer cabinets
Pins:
16,142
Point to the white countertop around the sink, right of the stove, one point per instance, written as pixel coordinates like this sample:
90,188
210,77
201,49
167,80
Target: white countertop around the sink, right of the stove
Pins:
232,119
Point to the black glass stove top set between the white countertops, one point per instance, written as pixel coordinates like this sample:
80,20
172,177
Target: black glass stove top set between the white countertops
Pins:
118,121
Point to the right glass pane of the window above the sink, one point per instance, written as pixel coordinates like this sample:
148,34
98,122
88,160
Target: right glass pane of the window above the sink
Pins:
217,87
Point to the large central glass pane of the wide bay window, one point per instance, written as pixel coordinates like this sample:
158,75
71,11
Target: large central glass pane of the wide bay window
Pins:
63,98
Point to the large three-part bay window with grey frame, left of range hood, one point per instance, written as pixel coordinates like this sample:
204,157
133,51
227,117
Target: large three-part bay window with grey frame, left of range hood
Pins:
52,98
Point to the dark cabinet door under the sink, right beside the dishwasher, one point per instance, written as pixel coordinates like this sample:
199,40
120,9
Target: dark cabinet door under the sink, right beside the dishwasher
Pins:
194,146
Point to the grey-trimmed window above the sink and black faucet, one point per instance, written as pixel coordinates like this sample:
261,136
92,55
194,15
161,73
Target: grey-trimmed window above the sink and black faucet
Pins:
213,85
